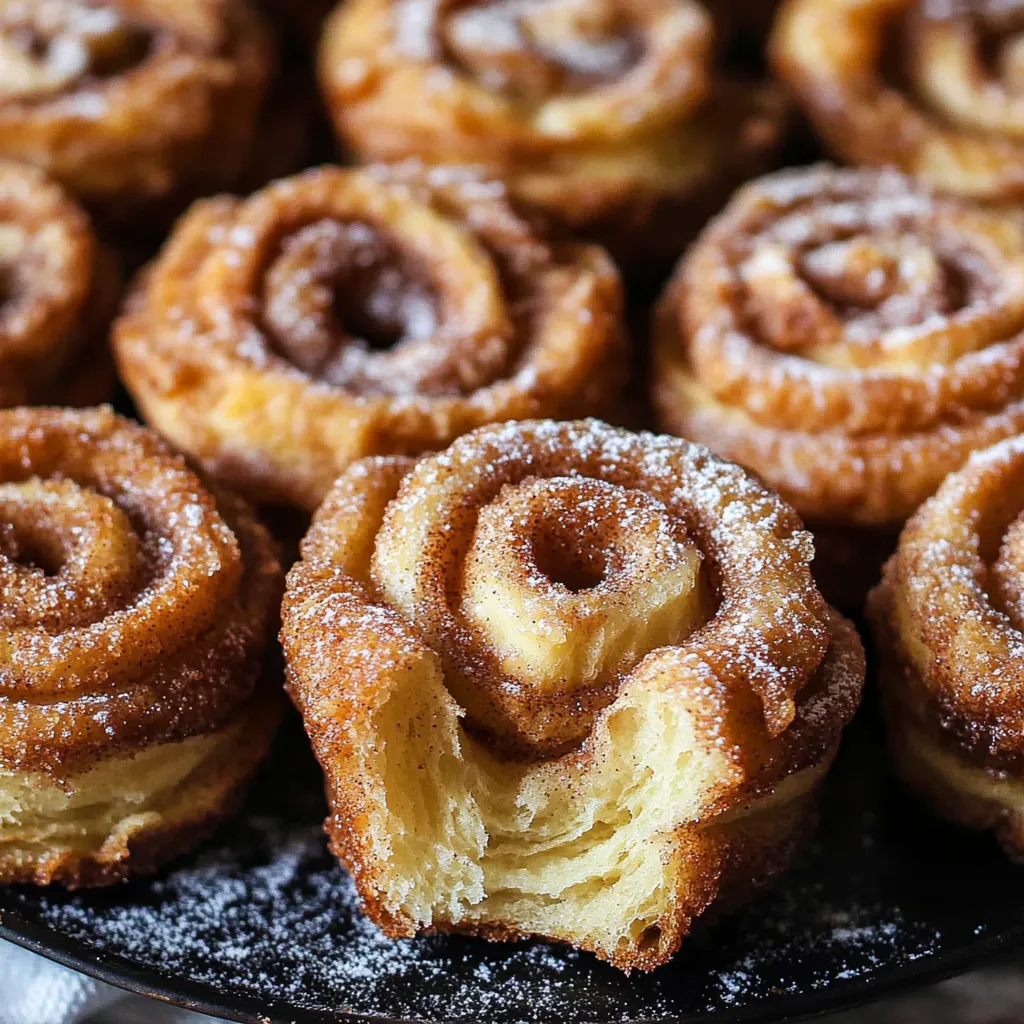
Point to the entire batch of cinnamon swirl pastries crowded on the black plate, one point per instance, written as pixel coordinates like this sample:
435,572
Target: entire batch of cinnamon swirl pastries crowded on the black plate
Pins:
565,679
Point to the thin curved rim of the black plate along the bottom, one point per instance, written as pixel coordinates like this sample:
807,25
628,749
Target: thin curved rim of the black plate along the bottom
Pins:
204,999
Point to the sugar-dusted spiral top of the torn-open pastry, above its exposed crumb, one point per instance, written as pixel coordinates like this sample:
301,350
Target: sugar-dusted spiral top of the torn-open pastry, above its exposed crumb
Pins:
546,566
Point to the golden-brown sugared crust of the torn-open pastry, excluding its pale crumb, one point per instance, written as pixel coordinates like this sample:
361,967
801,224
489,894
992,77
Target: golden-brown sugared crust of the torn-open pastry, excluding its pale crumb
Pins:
386,593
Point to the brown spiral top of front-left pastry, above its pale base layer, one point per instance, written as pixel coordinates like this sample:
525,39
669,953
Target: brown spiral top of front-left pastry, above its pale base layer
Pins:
136,606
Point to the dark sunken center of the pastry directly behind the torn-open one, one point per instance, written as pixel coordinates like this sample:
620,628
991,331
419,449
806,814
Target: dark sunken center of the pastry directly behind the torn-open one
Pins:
338,291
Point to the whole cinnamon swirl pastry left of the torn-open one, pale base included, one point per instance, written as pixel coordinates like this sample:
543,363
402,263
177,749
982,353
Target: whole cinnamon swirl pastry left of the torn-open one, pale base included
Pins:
134,623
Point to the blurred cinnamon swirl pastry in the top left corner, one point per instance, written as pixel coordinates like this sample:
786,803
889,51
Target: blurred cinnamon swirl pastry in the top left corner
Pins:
129,103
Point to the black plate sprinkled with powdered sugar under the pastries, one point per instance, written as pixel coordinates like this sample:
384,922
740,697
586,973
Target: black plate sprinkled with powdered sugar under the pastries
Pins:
263,924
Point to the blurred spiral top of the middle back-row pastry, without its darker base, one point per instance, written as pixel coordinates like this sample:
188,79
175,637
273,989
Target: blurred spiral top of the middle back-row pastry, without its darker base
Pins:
519,74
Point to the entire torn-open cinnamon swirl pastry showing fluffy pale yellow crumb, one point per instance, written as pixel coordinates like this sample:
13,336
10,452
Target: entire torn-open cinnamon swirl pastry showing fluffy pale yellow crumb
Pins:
606,684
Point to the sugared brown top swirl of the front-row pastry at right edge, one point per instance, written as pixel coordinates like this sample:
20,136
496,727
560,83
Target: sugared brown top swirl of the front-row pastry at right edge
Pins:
952,608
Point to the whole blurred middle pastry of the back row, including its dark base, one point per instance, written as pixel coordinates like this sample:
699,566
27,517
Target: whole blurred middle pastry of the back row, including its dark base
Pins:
607,114
